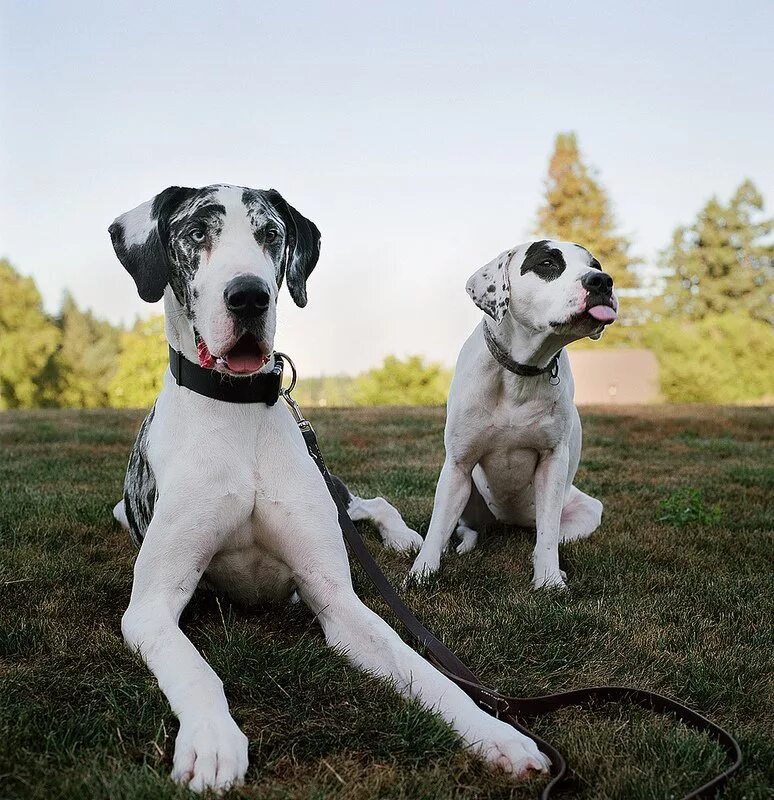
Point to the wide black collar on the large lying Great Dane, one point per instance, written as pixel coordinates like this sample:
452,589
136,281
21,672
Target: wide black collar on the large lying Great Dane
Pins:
263,387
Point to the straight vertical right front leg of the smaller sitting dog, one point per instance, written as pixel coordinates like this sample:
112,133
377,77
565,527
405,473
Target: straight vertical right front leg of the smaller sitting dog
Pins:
550,485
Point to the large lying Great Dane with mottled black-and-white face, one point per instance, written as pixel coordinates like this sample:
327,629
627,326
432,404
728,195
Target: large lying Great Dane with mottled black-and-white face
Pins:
228,492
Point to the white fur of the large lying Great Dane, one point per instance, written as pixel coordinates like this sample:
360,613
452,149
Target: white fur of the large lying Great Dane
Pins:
241,503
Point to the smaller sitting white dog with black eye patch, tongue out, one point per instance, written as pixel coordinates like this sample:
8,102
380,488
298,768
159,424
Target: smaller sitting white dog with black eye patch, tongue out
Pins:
513,434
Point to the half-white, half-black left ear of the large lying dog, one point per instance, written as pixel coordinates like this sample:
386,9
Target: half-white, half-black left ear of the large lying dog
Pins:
140,239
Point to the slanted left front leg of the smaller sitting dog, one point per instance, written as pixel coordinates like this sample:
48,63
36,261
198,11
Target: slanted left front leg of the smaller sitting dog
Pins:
451,497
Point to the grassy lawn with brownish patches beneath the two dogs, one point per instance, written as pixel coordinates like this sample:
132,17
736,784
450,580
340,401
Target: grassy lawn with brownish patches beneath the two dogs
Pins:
673,593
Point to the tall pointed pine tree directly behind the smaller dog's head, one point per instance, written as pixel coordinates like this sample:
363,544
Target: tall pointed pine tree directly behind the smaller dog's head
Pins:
577,209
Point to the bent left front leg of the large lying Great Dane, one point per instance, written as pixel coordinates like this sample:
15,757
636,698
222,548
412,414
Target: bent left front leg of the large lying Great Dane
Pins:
210,750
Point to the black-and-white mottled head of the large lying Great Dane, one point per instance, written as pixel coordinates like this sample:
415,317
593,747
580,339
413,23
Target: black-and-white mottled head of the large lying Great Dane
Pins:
221,254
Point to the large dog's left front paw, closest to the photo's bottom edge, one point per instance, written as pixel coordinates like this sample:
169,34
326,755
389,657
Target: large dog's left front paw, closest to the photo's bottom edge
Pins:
210,754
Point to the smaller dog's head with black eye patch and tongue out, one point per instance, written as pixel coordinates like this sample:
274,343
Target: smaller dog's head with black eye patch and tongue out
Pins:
547,286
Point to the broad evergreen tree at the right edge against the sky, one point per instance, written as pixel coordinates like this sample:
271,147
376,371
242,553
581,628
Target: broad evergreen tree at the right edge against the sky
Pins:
722,262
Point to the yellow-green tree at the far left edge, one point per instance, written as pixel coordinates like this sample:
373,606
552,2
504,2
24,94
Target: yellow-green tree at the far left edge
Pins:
27,338
